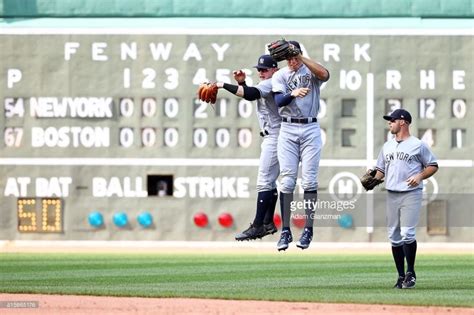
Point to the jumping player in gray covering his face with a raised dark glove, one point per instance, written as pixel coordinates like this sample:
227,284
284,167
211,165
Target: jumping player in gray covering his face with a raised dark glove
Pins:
296,90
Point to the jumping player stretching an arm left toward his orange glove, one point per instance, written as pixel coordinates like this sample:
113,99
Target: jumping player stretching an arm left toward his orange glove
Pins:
269,122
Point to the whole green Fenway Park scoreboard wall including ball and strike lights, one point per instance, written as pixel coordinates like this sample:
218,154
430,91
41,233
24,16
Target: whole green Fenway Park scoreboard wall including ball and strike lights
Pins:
108,124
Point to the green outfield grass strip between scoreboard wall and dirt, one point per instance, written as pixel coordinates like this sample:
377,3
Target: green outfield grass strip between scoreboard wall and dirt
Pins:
443,280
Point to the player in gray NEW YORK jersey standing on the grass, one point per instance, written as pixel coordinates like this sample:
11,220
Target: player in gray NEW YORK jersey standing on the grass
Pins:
404,162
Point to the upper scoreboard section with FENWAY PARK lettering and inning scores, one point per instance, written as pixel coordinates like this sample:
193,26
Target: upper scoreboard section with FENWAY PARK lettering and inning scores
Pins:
142,93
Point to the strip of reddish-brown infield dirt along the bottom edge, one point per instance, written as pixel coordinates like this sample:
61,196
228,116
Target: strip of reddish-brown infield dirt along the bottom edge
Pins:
72,304
